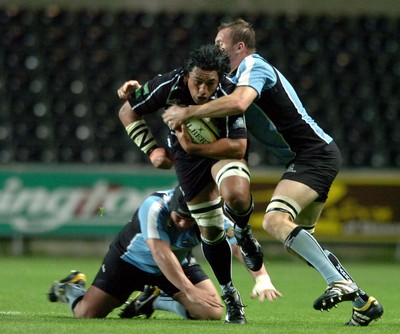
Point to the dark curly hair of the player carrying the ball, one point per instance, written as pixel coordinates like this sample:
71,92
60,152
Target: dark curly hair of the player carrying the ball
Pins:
208,57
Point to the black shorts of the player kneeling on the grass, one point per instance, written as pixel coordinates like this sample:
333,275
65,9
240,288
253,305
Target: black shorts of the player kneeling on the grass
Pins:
120,278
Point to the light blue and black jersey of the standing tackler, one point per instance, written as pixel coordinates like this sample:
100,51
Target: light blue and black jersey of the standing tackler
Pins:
279,104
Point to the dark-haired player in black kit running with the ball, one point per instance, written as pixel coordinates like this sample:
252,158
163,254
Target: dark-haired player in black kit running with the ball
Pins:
209,170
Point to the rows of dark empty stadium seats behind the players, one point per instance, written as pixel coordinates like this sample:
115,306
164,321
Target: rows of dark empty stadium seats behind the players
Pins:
60,71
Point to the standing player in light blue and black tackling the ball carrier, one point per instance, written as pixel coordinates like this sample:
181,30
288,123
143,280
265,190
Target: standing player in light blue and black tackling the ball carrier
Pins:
265,96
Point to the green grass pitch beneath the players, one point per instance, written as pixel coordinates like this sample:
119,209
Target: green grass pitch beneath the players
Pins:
24,308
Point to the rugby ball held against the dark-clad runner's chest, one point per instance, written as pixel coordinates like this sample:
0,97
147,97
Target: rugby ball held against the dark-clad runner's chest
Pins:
202,130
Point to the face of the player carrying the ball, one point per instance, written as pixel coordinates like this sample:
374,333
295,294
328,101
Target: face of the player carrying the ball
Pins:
202,84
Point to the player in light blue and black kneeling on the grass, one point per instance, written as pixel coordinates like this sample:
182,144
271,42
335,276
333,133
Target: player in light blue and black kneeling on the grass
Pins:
153,249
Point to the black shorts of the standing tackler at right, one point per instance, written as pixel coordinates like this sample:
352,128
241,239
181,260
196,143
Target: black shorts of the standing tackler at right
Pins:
316,169
